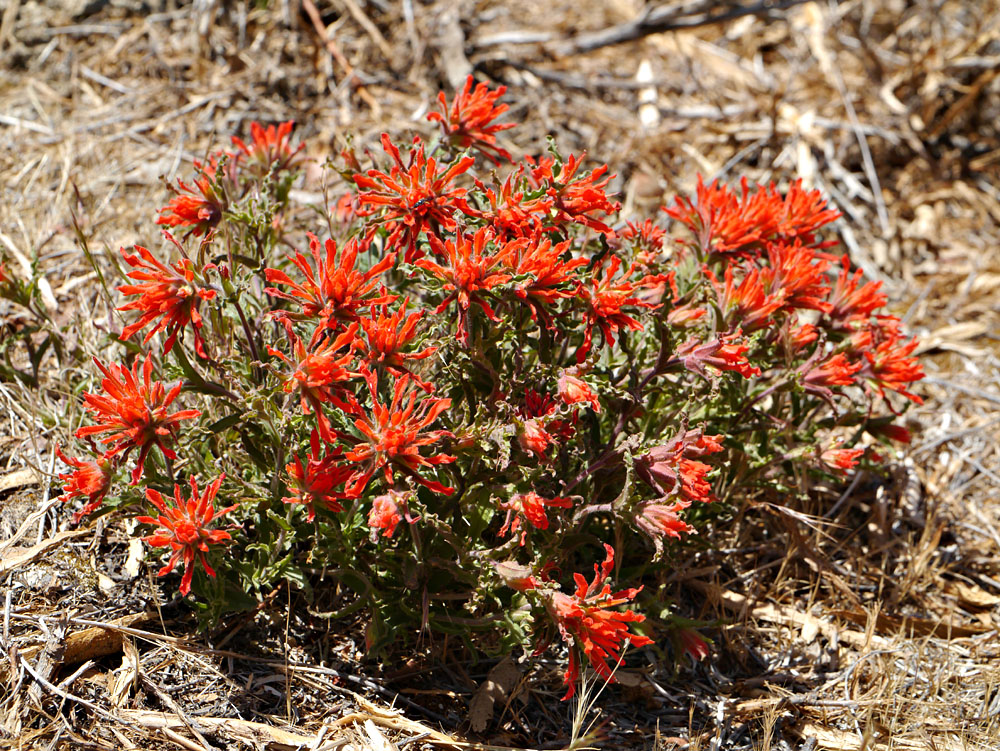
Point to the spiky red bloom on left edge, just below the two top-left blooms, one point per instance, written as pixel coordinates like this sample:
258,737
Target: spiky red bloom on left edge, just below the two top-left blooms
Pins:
168,293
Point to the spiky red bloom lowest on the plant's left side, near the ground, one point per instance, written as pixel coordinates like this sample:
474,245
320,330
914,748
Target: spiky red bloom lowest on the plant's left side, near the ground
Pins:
183,527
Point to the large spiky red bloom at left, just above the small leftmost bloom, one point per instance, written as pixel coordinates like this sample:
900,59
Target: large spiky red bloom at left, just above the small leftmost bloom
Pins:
134,412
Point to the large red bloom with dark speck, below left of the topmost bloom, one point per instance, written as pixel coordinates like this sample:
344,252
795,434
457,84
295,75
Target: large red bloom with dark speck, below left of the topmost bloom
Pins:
414,195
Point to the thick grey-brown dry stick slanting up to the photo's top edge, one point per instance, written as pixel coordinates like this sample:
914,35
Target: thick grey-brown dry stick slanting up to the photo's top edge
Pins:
664,18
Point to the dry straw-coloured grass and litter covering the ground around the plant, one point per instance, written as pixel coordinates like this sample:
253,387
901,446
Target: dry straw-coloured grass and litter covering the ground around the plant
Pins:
873,627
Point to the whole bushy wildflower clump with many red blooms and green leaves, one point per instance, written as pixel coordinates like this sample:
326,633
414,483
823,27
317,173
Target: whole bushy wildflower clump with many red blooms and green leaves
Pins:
477,377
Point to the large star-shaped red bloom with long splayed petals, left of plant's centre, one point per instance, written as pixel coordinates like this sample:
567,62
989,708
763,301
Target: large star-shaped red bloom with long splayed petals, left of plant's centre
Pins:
394,435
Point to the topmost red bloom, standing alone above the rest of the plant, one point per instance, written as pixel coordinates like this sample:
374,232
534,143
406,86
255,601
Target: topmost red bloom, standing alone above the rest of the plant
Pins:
467,123
